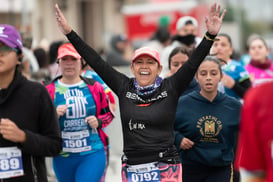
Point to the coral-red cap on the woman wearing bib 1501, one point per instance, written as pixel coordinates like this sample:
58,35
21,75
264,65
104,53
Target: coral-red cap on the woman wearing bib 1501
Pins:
68,50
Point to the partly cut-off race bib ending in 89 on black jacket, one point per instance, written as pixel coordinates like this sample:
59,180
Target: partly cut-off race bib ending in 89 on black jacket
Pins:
11,164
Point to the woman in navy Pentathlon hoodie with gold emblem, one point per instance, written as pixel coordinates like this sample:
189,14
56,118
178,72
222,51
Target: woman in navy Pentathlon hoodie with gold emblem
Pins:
206,125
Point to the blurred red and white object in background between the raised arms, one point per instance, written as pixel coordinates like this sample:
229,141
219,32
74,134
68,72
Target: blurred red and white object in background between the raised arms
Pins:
141,21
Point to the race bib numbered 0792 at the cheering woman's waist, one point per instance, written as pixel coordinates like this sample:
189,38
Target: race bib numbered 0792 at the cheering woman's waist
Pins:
143,173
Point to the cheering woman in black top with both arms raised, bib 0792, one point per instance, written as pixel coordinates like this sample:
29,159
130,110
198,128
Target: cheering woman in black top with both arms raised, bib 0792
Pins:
147,103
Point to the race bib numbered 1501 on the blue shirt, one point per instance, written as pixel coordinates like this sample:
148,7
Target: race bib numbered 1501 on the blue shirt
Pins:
76,142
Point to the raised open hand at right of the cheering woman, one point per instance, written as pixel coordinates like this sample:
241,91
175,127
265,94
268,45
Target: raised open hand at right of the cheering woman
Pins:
214,20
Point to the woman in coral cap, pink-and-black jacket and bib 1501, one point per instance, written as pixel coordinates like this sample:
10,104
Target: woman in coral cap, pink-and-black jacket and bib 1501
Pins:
83,112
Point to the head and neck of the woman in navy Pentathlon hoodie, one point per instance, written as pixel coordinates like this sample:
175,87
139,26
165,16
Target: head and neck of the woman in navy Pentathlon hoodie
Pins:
208,76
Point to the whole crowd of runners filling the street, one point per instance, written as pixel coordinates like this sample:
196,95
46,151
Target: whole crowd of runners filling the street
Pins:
215,125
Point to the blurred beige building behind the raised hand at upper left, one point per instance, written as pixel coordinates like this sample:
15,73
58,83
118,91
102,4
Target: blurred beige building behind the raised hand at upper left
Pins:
94,20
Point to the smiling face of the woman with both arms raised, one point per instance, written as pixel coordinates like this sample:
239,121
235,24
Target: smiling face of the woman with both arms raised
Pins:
145,70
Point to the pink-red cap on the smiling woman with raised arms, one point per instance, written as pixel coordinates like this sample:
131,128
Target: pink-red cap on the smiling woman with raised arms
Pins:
146,51
